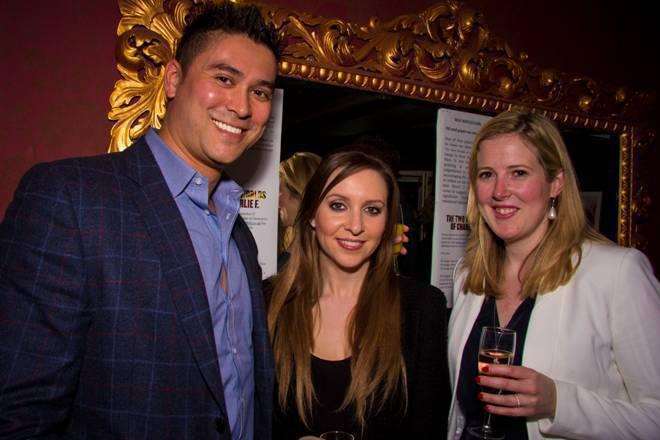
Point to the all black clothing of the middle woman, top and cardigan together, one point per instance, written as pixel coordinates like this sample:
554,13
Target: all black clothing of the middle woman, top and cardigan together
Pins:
425,353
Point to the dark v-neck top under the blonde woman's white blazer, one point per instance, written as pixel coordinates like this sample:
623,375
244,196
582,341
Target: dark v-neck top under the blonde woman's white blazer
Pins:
513,427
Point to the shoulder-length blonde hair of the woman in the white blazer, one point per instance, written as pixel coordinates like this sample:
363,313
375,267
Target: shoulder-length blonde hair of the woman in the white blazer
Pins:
554,260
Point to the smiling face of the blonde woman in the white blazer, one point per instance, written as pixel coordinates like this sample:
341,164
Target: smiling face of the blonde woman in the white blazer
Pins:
513,192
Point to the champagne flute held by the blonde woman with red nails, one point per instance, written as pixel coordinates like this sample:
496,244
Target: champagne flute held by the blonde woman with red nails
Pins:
496,346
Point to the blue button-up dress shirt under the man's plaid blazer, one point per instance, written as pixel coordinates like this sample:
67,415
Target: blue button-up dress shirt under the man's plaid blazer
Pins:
231,310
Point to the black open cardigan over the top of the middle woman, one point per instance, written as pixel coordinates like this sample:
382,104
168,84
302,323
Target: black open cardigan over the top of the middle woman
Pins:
425,353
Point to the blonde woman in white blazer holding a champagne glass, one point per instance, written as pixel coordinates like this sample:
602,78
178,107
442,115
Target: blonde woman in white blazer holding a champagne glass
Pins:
586,312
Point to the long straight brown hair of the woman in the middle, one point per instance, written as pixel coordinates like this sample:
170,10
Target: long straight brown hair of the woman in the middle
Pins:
374,326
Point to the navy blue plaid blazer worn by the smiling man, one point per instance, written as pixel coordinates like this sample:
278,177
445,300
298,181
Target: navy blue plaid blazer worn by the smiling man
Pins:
105,329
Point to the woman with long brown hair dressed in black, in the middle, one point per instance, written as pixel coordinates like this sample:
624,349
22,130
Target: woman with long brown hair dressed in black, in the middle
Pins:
357,348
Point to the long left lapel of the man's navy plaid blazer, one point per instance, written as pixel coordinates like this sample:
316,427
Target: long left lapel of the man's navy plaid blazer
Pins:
181,270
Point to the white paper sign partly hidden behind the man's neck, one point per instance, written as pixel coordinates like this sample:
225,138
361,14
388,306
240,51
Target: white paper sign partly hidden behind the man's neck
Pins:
257,171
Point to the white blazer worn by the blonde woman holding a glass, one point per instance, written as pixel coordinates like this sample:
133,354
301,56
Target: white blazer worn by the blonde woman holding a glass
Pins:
597,337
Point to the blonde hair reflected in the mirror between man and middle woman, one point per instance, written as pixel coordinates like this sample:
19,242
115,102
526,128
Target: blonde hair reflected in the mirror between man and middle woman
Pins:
295,172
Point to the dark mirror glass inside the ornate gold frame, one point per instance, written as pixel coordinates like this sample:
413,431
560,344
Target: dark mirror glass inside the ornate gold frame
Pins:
406,130
